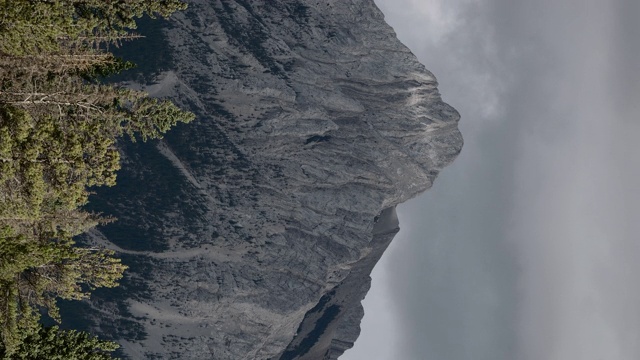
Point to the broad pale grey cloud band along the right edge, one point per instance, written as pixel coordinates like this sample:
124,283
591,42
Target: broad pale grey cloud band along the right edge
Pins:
574,193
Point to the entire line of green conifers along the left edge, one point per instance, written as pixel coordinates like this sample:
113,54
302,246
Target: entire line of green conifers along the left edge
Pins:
59,128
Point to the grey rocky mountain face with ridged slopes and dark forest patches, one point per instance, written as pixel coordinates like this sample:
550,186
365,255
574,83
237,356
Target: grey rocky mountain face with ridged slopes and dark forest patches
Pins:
251,233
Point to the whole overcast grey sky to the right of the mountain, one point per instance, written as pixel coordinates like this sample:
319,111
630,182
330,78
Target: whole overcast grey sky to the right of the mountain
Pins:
526,246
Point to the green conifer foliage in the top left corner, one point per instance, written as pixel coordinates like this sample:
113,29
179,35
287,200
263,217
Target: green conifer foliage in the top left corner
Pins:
48,26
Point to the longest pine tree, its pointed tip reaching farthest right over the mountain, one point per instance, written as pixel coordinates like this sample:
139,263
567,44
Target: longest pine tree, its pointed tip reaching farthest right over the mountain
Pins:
59,138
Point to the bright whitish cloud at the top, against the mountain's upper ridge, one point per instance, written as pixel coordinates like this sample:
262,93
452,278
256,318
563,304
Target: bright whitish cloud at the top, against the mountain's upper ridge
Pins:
456,26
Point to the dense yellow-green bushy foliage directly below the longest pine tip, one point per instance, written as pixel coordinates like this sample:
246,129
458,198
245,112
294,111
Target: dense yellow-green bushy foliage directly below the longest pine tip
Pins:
50,161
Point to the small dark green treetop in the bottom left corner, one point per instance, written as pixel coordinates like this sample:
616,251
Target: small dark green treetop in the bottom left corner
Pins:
51,343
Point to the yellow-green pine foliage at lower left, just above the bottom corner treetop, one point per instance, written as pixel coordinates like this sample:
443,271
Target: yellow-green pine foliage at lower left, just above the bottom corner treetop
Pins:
38,268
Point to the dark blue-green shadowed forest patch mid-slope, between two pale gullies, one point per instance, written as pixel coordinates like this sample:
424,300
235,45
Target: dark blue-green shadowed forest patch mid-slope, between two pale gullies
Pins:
147,182
